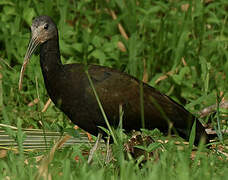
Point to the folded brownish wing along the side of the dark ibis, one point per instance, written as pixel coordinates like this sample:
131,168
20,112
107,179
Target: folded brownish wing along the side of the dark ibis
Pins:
117,88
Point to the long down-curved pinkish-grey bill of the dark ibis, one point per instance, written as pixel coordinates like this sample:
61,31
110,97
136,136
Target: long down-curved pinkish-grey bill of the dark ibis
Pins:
34,42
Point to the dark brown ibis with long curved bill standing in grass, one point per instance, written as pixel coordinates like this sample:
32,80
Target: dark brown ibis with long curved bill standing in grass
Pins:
69,87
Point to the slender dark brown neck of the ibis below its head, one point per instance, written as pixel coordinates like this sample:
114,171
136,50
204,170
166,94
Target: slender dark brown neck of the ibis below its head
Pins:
50,58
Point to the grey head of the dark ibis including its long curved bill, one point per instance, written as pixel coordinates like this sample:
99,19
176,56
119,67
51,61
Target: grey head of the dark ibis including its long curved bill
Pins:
42,30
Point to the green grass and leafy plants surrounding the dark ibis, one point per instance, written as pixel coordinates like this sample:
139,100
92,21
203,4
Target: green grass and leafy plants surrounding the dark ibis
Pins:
188,46
